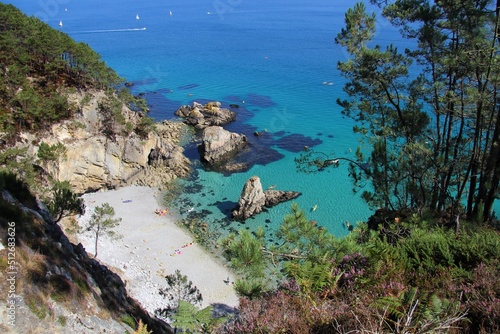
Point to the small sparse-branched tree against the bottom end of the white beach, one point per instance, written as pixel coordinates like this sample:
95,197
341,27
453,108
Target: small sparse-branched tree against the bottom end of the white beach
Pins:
178,289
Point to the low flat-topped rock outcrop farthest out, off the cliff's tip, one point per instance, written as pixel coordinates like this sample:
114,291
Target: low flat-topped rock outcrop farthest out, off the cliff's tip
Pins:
201,116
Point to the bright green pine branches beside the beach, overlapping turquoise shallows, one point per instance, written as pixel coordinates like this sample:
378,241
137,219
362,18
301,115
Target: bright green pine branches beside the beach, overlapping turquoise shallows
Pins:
305,253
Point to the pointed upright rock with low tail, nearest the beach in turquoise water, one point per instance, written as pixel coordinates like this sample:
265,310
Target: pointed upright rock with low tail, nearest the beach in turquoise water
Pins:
253,199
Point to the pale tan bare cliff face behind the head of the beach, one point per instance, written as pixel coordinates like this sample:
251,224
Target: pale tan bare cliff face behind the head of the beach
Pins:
94,159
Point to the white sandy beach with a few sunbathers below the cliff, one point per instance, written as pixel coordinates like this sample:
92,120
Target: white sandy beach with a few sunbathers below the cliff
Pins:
143,254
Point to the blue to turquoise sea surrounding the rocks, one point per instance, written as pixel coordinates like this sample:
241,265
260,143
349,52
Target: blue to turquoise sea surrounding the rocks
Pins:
276,58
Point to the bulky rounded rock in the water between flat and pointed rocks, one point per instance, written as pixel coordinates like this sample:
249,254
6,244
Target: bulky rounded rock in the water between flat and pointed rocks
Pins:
218,144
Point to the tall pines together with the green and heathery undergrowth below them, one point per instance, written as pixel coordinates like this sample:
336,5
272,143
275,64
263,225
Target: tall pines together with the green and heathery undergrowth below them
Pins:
429,124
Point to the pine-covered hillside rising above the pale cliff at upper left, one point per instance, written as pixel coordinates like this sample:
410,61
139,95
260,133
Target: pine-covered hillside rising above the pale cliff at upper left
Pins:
49,79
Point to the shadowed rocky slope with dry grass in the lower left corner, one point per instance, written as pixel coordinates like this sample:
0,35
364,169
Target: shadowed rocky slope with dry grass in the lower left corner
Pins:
51,285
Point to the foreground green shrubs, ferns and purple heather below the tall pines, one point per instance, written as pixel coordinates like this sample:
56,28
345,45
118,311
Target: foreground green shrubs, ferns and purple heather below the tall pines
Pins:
410,274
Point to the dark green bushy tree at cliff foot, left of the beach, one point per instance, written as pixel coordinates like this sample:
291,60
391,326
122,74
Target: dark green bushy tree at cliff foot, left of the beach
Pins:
64,202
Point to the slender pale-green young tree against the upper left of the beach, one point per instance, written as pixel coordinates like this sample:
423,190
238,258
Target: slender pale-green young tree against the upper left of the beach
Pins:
102,222
